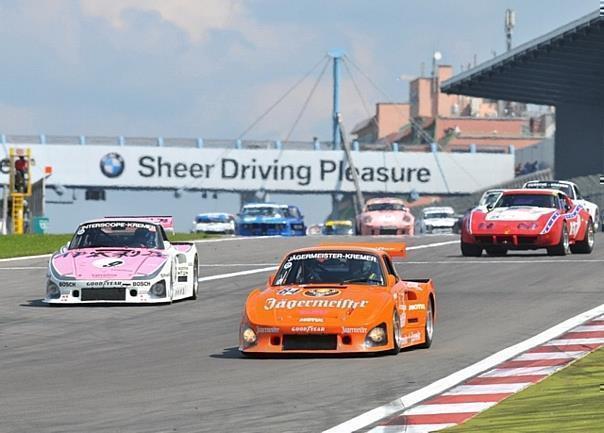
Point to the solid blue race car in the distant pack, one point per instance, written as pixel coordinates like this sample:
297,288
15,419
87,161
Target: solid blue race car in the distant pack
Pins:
269,219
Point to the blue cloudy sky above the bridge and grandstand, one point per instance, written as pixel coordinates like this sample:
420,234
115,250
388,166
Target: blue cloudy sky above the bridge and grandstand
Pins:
210,67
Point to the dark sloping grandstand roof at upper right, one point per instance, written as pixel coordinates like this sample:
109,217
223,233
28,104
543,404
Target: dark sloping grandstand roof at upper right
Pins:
563,66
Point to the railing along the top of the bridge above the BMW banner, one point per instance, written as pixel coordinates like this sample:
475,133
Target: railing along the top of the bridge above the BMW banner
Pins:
211,143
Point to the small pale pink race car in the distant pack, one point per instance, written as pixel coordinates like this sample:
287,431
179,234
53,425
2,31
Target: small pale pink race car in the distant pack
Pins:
385,216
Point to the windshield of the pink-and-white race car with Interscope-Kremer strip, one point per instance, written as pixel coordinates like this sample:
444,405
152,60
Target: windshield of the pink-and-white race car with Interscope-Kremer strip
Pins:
116,234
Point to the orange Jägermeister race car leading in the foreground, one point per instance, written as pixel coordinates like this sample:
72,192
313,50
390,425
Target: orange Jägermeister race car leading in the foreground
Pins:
339,298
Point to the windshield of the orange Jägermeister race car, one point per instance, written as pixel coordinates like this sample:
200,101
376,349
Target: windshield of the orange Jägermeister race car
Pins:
330,267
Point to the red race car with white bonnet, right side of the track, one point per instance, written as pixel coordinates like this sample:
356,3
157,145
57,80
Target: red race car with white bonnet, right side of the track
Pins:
528,219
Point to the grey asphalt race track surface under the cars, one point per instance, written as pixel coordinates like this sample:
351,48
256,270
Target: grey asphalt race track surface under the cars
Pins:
175,368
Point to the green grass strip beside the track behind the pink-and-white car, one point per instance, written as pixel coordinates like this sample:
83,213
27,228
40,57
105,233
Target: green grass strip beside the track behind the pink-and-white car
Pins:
29,244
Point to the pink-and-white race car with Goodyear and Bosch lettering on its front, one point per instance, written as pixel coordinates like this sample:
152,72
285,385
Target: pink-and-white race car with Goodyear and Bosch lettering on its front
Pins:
122,260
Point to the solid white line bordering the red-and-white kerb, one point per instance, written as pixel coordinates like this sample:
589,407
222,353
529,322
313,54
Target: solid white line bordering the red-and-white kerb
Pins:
438,387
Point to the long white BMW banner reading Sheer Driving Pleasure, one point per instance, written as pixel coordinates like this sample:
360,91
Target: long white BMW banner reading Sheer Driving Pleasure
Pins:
271,170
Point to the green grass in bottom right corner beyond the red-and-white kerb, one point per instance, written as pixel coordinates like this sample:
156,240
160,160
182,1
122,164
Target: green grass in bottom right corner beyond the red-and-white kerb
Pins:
568,401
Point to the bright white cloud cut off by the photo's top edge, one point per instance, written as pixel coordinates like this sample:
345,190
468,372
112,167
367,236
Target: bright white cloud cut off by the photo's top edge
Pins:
196,18
